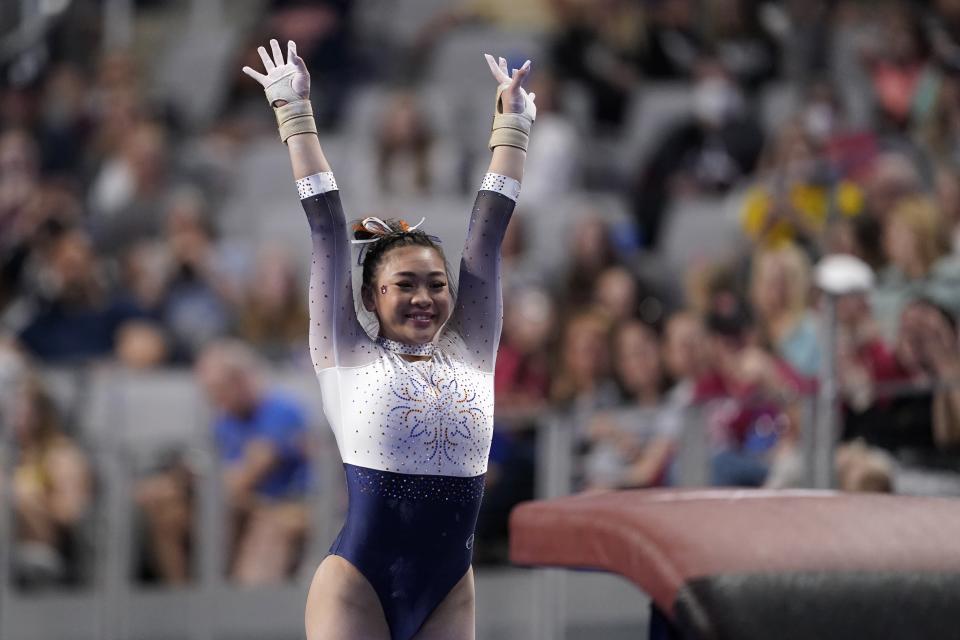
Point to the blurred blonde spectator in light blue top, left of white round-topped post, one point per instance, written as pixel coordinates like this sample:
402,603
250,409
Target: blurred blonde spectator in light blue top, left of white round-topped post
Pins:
779,293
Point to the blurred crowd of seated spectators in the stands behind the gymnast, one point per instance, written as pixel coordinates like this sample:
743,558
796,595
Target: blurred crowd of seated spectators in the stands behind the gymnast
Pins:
112,204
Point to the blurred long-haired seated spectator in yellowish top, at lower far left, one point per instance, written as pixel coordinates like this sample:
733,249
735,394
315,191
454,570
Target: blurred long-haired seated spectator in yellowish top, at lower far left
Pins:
52,491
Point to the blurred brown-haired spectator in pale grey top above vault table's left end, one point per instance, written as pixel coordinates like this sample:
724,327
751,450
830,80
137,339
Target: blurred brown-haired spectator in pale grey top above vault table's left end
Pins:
632,446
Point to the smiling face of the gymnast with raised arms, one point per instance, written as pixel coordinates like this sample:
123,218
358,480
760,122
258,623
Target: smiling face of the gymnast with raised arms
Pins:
410,294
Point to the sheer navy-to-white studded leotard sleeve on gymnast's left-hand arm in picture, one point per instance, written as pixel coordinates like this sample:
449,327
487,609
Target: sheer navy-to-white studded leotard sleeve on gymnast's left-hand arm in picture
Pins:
336,337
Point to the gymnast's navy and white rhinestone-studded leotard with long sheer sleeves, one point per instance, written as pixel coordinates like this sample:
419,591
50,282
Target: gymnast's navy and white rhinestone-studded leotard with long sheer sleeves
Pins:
414,436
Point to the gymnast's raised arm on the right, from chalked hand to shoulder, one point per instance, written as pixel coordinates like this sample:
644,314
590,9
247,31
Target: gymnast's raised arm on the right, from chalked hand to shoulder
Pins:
478,314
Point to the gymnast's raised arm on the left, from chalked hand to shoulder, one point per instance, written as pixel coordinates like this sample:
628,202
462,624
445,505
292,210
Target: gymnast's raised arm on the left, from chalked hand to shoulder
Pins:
336,337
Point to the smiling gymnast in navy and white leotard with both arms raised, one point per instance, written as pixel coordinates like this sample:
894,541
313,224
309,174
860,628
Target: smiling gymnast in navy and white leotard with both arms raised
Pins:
412,409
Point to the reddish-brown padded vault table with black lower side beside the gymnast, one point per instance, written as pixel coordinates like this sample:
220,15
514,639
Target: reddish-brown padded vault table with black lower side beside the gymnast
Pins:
749,564
